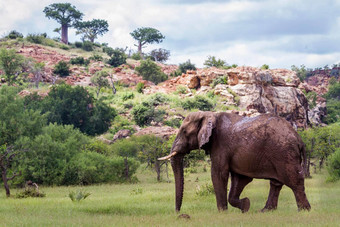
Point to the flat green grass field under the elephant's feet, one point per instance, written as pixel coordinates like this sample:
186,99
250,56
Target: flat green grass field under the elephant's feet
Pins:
149,203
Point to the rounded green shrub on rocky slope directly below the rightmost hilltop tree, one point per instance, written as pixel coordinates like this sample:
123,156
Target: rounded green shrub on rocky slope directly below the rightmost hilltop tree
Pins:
149,70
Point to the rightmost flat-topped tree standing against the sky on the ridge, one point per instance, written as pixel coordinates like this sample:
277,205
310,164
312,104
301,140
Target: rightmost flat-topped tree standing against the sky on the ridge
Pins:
146,35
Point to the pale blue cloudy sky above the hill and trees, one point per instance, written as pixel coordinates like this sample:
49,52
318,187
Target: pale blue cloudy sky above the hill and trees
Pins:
279,33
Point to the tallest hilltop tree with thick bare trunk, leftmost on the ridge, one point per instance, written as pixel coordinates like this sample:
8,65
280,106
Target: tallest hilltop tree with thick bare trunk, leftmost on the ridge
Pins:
65,14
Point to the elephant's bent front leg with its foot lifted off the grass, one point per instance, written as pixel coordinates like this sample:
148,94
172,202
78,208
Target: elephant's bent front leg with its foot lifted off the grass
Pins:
238,182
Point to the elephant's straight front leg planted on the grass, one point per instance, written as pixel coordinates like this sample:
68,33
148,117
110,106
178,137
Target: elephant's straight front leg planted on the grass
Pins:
219,178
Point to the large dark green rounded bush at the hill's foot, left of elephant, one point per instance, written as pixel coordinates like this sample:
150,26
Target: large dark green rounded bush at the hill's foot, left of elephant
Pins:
76,106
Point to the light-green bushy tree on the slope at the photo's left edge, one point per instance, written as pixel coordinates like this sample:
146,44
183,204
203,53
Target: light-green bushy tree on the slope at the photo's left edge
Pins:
10,63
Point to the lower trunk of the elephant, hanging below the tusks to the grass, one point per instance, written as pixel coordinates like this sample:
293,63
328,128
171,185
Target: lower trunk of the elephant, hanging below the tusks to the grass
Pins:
177,166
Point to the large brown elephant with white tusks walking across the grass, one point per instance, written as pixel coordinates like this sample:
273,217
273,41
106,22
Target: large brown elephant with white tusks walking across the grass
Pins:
263,147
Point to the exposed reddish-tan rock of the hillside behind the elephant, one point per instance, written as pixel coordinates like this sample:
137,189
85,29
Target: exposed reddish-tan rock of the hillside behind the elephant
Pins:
244,90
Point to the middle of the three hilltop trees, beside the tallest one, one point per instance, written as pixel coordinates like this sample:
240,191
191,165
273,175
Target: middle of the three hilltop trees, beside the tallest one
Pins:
91,29
